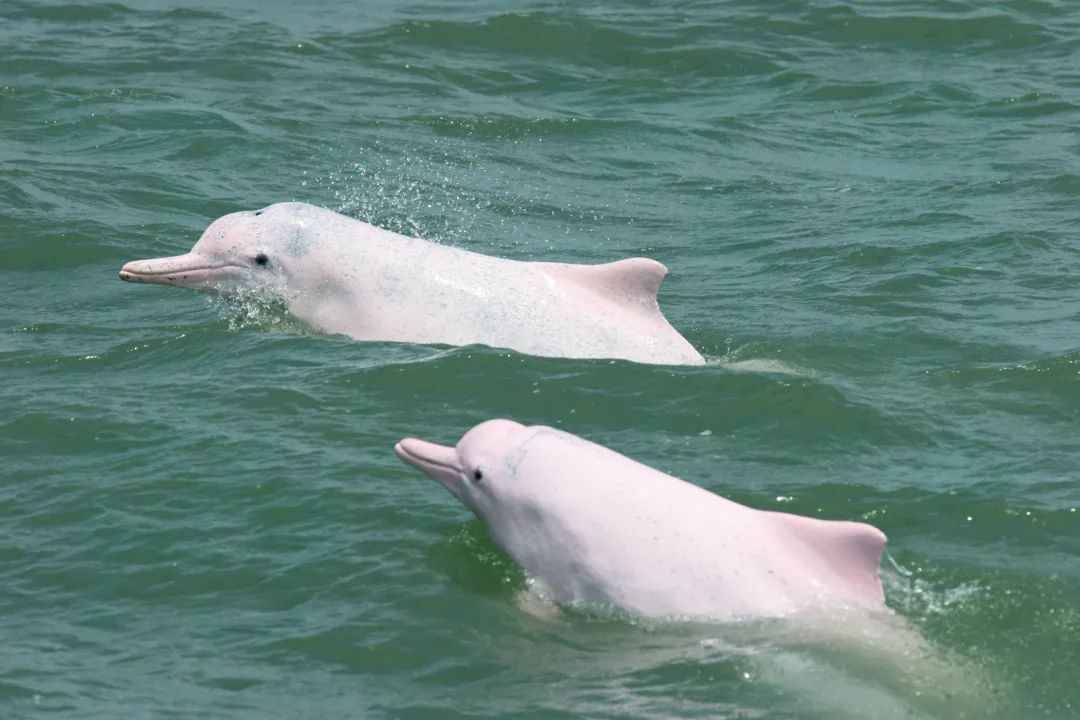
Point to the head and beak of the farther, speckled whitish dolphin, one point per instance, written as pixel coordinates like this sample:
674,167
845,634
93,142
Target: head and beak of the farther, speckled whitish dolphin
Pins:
252,251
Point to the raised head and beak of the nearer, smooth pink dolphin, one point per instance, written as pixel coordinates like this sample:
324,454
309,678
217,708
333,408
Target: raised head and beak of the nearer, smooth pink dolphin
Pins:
479,470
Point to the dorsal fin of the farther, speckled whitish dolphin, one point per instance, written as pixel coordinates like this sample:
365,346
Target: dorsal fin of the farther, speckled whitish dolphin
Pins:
633,282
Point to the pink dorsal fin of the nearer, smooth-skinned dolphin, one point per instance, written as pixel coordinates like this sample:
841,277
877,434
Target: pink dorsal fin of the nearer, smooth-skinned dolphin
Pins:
853,551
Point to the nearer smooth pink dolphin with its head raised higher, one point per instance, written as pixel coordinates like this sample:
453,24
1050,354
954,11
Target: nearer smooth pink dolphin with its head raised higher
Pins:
597,527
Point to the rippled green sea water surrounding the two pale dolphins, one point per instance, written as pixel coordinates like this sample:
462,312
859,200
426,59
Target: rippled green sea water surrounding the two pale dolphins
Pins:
870,212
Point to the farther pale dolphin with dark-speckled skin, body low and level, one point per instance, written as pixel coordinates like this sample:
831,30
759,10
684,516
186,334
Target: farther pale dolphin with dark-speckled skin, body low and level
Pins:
339,275
